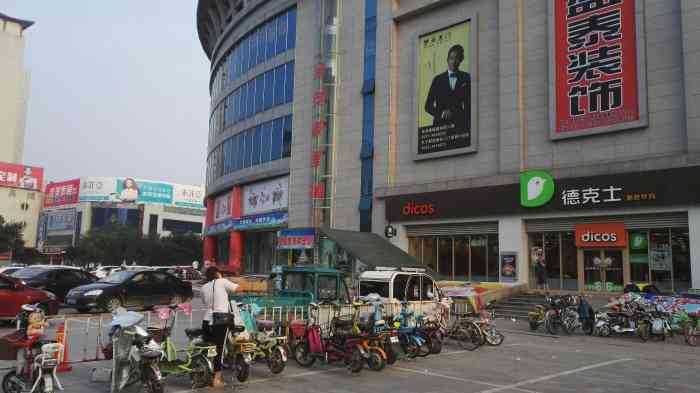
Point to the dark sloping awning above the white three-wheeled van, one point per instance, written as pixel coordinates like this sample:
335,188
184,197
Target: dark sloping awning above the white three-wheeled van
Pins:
371,248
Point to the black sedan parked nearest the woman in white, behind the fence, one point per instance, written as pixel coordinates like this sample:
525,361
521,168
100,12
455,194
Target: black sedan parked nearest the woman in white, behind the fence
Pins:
130,288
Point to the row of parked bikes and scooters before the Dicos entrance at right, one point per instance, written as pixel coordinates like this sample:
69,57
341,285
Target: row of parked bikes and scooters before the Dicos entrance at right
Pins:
632,314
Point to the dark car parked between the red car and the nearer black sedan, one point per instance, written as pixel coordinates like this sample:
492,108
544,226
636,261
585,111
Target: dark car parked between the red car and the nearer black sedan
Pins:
55,279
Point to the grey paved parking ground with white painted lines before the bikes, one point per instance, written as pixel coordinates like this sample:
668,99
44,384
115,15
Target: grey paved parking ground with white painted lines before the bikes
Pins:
524,363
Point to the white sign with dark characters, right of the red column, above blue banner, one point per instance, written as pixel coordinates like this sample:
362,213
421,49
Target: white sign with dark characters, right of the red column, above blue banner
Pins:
266,196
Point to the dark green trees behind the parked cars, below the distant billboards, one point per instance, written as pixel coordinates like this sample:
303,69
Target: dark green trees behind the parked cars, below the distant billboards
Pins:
115,244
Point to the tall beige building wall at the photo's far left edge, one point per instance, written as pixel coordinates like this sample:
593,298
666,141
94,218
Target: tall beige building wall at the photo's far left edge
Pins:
14,92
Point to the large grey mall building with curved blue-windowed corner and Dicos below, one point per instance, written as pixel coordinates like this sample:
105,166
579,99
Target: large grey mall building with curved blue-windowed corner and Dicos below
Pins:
480,136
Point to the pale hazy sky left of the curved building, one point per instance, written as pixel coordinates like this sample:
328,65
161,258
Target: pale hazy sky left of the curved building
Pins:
118,88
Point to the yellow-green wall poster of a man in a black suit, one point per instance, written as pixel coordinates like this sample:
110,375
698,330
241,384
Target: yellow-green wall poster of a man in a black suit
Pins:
445,92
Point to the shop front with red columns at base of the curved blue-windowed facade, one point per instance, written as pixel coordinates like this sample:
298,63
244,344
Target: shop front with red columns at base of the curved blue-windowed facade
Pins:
242,226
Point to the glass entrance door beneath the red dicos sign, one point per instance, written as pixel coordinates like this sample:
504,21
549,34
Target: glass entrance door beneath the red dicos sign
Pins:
603,270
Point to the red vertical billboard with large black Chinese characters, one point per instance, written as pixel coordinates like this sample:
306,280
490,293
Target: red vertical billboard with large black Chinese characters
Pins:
597,67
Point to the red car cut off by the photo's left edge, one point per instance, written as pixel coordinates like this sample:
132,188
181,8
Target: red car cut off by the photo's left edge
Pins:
14,294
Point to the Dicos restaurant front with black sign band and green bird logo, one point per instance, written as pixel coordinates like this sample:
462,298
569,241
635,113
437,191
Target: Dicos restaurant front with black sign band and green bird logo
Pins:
590,234
